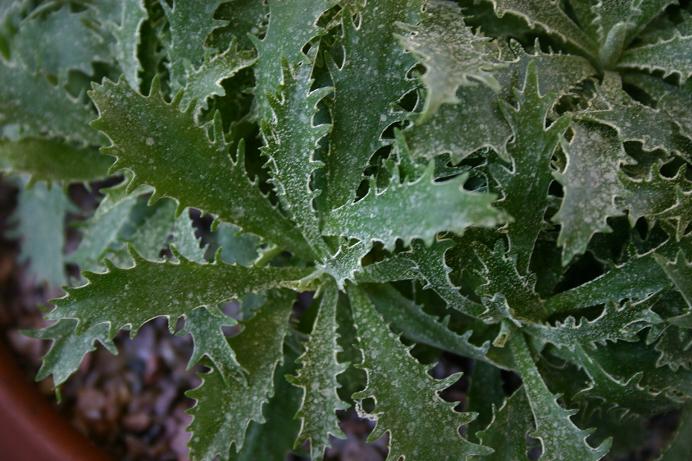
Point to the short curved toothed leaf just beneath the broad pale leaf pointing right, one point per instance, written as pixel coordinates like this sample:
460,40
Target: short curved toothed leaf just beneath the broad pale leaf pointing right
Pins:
432,268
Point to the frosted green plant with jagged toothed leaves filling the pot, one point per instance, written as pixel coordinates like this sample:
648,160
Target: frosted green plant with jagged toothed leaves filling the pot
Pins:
503,180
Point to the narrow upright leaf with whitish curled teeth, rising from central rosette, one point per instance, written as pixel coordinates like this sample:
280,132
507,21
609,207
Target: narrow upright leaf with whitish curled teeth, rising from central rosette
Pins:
291,139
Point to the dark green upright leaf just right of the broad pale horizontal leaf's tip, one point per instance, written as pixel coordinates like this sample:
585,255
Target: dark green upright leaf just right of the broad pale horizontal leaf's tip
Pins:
525,185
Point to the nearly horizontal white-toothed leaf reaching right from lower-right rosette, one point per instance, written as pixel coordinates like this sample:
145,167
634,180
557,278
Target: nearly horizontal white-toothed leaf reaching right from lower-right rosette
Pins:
615,323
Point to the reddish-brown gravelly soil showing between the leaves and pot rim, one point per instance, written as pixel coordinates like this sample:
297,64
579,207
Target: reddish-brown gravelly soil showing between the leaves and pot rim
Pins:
133,404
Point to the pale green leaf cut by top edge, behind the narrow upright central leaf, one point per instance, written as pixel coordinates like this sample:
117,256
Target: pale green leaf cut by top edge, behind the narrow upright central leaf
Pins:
289,30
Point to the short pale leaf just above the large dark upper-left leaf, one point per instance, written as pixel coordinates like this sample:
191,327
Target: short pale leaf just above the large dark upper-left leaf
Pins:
204,82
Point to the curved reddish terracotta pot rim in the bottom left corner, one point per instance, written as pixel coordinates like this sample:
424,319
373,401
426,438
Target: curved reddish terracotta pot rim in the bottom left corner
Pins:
32,429
